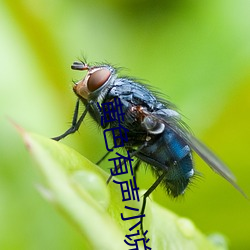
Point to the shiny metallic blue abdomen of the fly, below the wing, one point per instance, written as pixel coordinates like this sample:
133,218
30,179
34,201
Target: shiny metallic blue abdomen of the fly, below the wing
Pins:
168,153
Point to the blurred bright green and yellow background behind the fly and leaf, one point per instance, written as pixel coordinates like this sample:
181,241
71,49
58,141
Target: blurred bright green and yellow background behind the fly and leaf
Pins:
195,52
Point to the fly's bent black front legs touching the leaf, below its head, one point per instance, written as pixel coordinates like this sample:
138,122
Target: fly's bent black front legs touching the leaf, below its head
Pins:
75,123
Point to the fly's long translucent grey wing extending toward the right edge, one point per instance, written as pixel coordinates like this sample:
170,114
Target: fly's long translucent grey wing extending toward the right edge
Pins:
175,124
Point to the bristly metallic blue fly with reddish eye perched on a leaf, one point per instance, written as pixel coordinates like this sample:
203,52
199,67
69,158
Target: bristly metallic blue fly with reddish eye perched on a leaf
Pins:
156,134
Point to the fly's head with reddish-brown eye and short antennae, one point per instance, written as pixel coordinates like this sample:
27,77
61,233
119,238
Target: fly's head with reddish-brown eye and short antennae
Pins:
93,84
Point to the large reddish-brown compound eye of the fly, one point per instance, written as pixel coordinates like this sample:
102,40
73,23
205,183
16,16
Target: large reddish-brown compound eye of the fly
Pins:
97,79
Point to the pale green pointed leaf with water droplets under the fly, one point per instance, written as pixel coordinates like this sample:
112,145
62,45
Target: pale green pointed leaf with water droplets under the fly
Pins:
78,189
